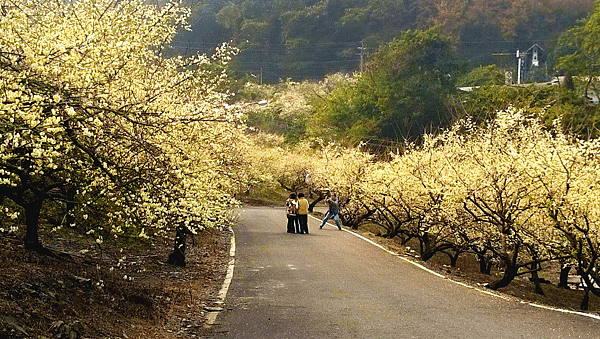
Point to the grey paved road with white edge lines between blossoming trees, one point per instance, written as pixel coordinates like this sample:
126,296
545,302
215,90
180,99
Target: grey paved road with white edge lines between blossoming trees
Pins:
331,284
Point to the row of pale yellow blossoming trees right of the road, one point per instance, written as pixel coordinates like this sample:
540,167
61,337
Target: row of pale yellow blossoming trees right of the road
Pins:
513,193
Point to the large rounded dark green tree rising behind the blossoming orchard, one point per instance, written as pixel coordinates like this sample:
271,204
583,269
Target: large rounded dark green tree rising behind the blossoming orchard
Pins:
401,94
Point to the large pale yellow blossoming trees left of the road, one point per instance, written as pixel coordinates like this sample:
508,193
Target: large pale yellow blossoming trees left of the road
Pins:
104,134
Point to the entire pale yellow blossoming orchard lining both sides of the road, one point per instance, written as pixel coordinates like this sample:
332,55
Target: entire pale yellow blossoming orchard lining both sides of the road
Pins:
102,133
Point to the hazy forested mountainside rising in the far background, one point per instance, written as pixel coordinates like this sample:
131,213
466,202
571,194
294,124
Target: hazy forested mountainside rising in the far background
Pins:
306,39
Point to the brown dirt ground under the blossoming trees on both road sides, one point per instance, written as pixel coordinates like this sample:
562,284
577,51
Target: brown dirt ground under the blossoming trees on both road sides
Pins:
77,295
